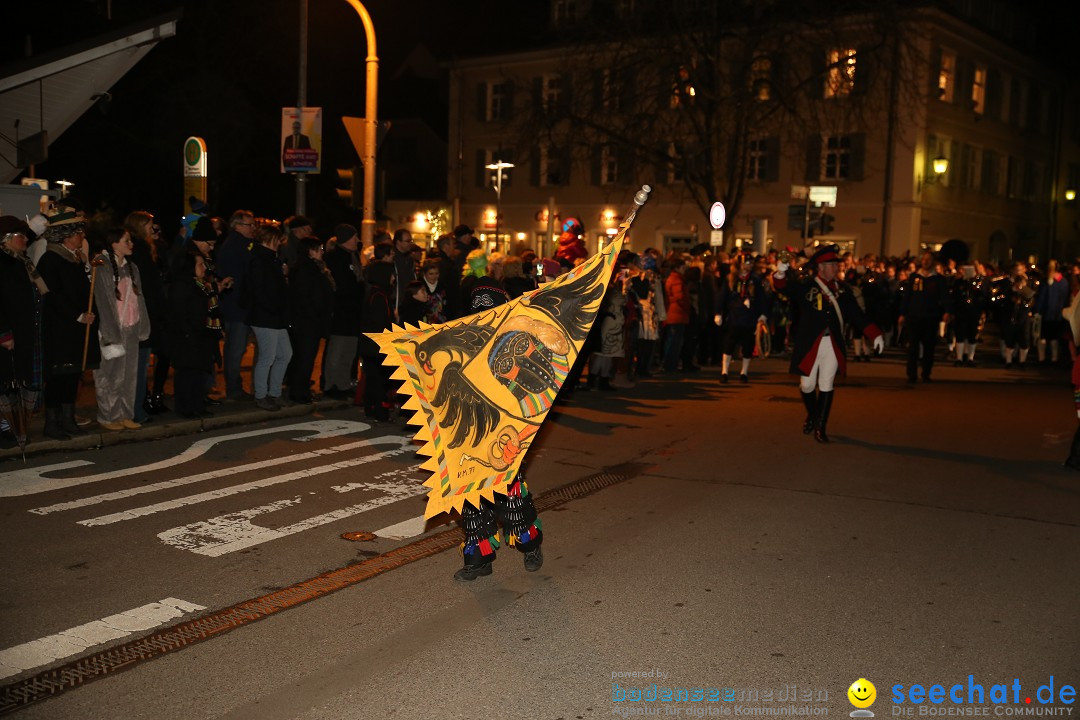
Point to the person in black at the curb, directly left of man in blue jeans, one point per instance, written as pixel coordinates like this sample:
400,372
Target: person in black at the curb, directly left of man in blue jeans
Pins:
194,330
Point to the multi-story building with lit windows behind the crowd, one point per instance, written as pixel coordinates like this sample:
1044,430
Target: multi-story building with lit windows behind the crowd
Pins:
967,137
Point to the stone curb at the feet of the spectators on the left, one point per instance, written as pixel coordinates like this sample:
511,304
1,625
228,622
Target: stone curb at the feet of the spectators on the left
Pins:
156,431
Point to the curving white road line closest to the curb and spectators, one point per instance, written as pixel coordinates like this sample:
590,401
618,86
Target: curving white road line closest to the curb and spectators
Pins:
30,482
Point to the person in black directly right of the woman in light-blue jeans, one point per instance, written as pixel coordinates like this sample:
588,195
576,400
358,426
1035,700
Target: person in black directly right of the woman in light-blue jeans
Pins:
310,310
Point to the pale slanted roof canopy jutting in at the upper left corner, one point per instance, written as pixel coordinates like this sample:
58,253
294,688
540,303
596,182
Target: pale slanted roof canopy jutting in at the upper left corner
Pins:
48,93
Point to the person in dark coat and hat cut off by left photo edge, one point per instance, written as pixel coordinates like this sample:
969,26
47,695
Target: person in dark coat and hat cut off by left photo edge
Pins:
22,291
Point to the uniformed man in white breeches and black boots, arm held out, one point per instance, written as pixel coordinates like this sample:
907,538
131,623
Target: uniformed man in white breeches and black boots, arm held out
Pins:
822,305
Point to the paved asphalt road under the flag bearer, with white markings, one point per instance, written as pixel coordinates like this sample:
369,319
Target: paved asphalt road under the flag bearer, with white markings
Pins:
936,539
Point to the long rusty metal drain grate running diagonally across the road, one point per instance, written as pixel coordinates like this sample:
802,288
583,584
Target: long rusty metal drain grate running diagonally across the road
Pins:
80,672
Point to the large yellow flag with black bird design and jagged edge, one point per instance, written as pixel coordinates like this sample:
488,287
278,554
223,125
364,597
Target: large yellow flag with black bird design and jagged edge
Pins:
482,386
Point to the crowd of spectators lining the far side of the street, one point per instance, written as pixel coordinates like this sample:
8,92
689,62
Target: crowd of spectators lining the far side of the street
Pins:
112,300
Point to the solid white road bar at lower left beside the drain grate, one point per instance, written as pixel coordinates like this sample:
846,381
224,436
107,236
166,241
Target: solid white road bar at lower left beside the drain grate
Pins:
82,639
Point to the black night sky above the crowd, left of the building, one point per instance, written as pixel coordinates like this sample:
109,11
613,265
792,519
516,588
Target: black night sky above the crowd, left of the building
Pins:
234,64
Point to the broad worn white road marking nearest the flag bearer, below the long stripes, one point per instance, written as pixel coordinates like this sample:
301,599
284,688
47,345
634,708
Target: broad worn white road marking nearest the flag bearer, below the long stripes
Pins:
228,534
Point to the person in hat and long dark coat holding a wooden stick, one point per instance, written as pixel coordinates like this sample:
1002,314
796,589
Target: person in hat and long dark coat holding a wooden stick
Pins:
65,271
